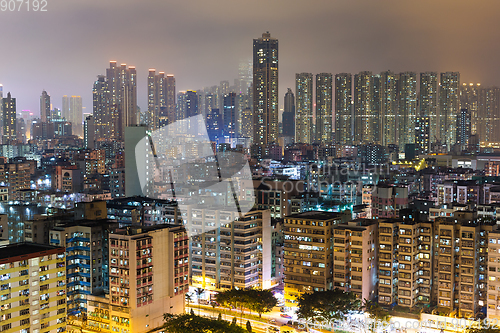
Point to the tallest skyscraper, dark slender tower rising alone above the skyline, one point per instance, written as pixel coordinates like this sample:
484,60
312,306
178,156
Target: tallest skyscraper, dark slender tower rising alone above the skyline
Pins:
265,90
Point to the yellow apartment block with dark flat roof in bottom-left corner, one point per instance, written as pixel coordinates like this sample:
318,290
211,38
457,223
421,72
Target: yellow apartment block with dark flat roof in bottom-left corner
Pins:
33,290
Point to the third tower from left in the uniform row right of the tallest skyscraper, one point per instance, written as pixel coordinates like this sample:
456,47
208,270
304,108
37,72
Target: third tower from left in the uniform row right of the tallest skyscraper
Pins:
343,109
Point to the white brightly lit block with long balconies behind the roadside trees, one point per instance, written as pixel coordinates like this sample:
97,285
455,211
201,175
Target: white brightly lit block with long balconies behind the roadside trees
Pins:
236,255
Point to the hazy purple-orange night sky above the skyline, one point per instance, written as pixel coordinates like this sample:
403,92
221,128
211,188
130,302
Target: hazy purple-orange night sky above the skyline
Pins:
201,42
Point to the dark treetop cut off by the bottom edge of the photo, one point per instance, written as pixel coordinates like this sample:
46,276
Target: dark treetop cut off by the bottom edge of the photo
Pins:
195,324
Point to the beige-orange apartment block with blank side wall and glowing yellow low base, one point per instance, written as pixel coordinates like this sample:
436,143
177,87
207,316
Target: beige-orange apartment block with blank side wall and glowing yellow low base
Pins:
148,275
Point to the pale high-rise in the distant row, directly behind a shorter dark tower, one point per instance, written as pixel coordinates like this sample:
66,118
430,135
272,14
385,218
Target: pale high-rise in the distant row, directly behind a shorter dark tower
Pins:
429,104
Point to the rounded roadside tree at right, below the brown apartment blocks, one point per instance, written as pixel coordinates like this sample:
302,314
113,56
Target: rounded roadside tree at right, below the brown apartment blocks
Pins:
327,305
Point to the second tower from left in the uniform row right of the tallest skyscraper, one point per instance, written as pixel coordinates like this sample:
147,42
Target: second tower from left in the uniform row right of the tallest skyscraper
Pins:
324,108
